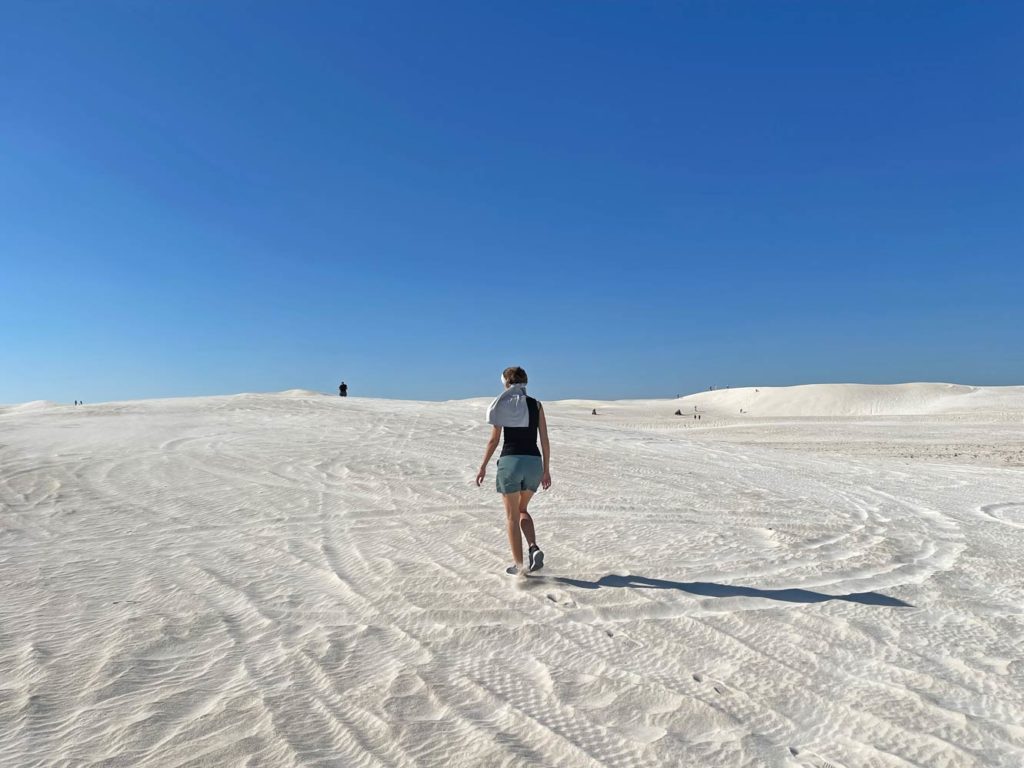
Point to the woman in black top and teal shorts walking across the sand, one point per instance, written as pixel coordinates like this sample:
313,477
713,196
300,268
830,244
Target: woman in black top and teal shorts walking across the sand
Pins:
521,466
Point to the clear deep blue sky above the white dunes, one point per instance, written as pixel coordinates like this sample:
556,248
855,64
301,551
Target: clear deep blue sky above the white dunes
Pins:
628,199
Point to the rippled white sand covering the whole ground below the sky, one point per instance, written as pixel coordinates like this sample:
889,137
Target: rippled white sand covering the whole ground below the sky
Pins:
292,579
